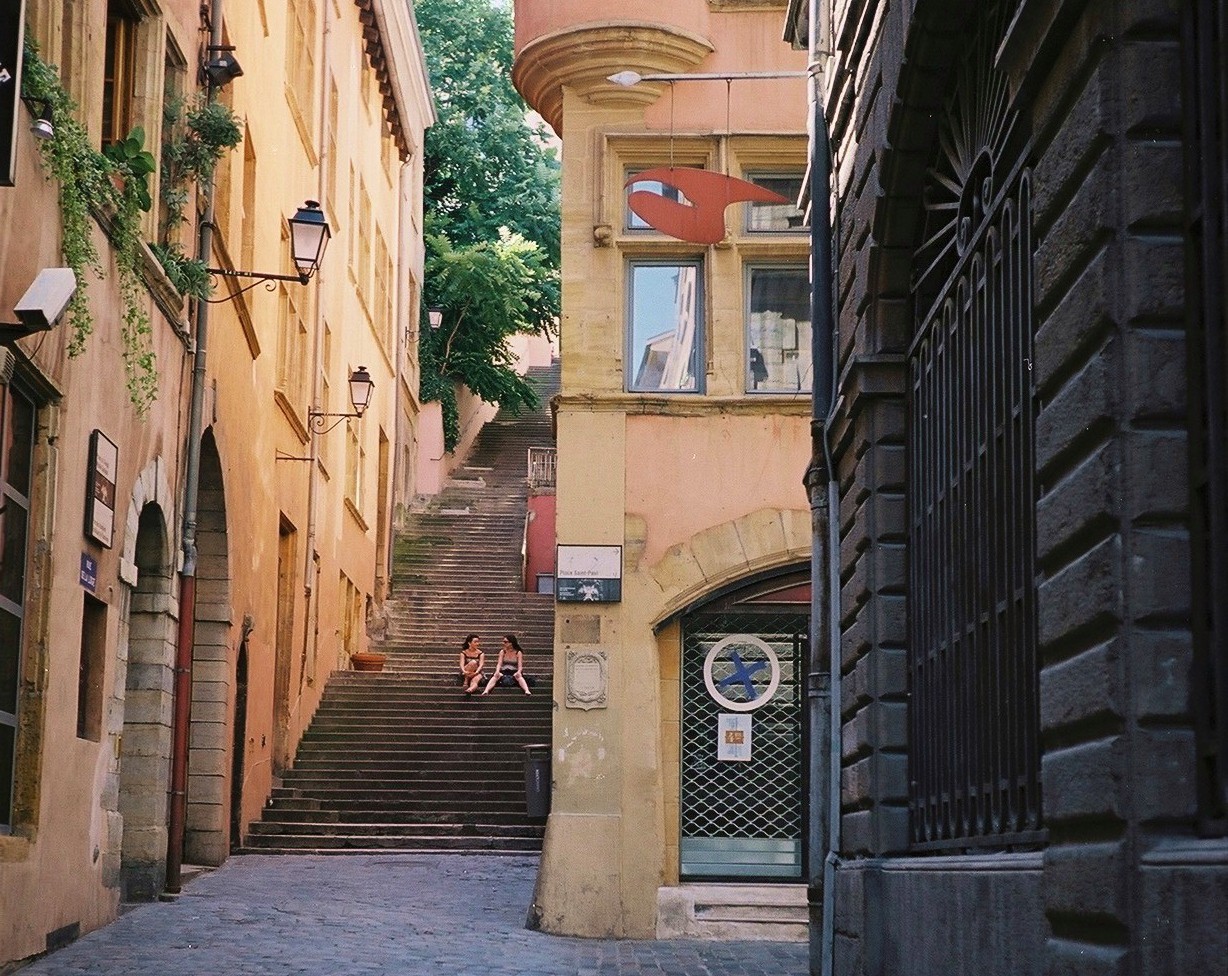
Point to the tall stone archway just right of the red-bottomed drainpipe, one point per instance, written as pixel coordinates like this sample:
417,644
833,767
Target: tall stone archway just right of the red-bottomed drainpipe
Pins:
207,840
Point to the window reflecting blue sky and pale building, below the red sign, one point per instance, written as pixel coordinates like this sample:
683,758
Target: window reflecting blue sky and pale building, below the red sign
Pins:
665,327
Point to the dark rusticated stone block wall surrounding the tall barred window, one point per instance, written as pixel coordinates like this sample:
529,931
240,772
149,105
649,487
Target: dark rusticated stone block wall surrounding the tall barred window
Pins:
1122,885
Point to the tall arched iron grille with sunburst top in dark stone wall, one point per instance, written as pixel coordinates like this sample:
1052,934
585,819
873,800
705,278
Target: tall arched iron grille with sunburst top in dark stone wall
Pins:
974,713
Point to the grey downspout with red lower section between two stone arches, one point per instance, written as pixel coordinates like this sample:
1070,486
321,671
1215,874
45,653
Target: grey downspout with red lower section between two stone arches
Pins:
181,716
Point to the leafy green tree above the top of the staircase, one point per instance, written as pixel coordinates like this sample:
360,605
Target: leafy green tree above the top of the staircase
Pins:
492,201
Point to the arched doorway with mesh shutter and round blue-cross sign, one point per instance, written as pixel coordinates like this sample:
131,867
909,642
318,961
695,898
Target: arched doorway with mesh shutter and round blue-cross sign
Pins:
744,734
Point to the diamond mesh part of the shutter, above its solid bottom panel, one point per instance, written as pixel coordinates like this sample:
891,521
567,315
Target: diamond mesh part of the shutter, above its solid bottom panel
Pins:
761,799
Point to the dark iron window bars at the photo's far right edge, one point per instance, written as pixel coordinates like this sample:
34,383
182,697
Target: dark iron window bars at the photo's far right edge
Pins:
1207,132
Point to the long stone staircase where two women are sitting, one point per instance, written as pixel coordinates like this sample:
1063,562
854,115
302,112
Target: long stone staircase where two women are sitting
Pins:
402,761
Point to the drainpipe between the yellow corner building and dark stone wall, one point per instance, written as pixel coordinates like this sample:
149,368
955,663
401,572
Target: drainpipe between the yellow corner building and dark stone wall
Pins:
825,689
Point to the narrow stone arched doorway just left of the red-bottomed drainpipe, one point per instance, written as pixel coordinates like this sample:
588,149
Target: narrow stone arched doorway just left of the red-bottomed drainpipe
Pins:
146,746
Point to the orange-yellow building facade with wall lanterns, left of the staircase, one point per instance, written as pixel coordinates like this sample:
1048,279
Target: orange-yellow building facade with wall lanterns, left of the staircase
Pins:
294,500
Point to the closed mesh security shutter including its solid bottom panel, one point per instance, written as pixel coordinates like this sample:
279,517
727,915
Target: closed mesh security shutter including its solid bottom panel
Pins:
744,818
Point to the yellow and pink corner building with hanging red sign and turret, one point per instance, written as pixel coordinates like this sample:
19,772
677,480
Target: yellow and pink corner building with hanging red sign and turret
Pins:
683,436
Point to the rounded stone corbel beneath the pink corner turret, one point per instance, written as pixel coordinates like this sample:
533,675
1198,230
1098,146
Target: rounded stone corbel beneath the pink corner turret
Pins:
584,57
